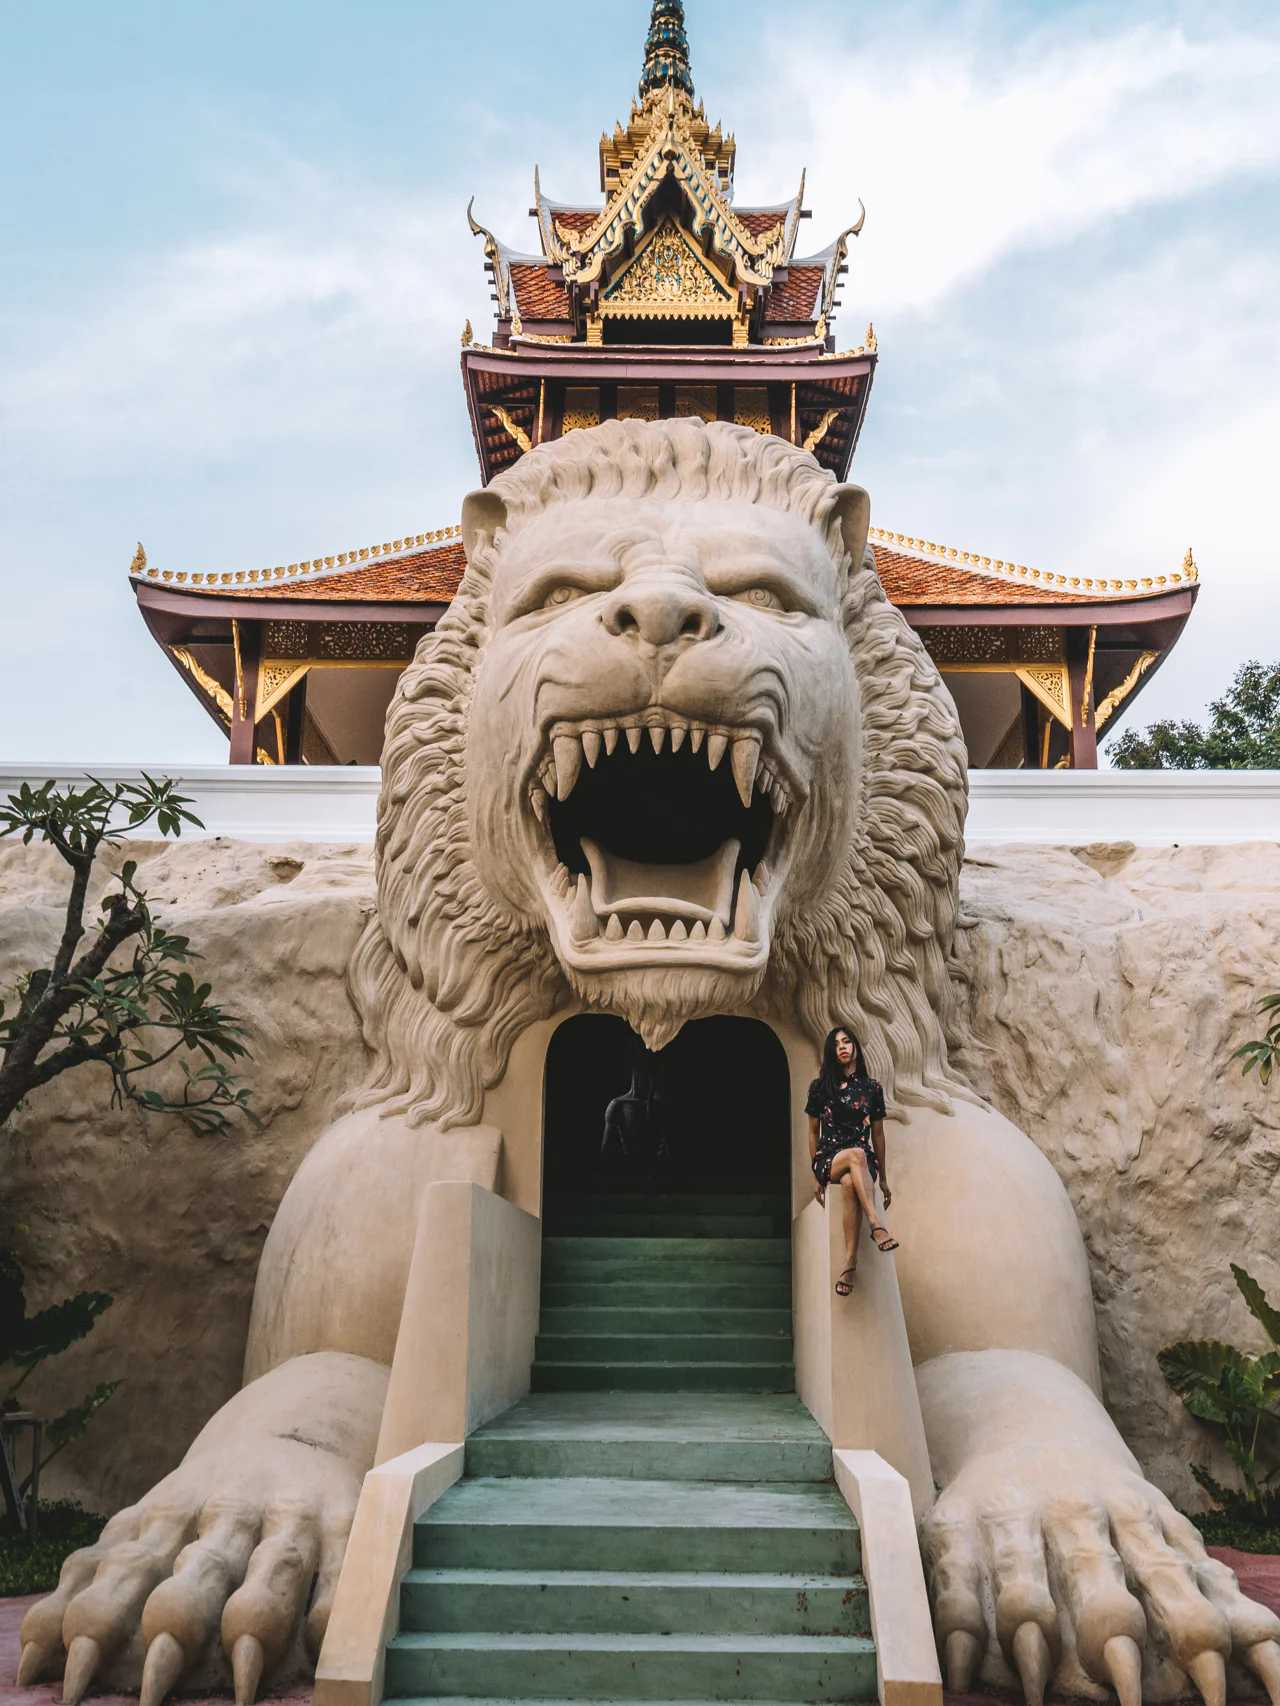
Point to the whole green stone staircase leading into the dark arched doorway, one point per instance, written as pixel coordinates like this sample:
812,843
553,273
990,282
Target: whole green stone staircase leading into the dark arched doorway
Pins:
658,1519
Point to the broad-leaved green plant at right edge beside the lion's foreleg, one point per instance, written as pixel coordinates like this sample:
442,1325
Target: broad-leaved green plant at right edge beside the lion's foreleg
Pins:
1240,1395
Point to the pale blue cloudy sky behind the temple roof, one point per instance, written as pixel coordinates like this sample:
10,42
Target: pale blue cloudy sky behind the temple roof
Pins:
236,267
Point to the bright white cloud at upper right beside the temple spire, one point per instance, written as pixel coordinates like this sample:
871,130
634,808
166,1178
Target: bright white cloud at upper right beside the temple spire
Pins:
967,151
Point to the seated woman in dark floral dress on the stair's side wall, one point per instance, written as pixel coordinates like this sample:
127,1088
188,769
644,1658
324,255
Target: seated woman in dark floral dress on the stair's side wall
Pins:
846,1113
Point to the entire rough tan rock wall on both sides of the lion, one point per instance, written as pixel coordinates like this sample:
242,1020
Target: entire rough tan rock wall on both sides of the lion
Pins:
1105,990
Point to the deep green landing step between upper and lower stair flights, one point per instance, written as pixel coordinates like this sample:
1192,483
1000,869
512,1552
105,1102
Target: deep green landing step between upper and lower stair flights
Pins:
655,1437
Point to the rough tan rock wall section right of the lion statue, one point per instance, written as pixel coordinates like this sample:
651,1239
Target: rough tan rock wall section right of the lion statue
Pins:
1107,990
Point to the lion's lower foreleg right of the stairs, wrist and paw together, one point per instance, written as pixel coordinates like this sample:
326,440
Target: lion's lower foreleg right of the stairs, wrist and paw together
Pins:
1056,1560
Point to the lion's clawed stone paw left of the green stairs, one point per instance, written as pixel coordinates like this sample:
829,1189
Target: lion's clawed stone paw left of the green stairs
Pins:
226,1569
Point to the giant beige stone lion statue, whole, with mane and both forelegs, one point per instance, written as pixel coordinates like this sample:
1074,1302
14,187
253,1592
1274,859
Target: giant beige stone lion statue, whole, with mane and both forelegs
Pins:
695,591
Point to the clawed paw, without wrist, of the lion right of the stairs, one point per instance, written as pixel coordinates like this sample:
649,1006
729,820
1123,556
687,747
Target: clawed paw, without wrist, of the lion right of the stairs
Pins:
1102,1589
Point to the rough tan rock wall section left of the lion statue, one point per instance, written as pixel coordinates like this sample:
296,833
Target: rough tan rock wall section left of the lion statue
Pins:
139,1207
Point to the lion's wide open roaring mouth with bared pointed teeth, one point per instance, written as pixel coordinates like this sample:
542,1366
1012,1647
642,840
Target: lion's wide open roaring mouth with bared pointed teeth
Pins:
665,835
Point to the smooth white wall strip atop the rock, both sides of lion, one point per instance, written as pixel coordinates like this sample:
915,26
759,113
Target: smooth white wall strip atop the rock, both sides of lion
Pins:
1050,808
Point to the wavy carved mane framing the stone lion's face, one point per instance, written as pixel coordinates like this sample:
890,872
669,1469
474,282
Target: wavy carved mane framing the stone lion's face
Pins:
446,978
